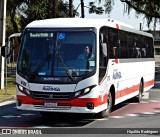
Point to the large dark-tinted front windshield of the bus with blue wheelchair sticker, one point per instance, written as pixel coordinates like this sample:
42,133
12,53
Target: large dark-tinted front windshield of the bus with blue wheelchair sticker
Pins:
49,53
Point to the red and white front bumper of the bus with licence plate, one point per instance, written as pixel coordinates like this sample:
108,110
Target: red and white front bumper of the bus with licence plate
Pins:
78,105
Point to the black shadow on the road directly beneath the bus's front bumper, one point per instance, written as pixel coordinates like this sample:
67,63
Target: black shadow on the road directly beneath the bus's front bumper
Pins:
65,120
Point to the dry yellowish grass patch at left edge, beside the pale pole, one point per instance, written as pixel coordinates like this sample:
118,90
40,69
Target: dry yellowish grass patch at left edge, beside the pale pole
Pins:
11,89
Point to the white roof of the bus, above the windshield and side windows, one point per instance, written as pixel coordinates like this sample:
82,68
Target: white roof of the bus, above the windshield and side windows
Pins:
83,22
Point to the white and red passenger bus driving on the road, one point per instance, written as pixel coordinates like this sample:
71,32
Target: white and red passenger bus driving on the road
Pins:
51,78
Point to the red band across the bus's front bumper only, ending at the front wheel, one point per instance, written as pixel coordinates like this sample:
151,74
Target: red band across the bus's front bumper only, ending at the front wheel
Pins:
77,102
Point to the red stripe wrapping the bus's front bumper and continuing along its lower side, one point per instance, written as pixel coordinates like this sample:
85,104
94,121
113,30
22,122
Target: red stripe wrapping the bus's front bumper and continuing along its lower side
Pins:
81,102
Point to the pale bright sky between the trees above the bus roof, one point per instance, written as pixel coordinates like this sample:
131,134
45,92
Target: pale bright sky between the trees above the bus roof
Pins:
118,14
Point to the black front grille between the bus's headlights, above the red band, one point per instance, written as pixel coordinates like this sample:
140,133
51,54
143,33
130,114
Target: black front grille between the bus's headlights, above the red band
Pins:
51,95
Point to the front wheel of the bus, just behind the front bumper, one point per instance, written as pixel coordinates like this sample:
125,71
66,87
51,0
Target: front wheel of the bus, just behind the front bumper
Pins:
105,113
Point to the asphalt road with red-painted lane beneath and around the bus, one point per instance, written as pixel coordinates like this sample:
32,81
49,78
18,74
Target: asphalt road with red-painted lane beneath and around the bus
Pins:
125,116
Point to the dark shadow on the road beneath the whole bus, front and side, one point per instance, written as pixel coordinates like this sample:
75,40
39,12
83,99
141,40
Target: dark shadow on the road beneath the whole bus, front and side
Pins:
64,119
